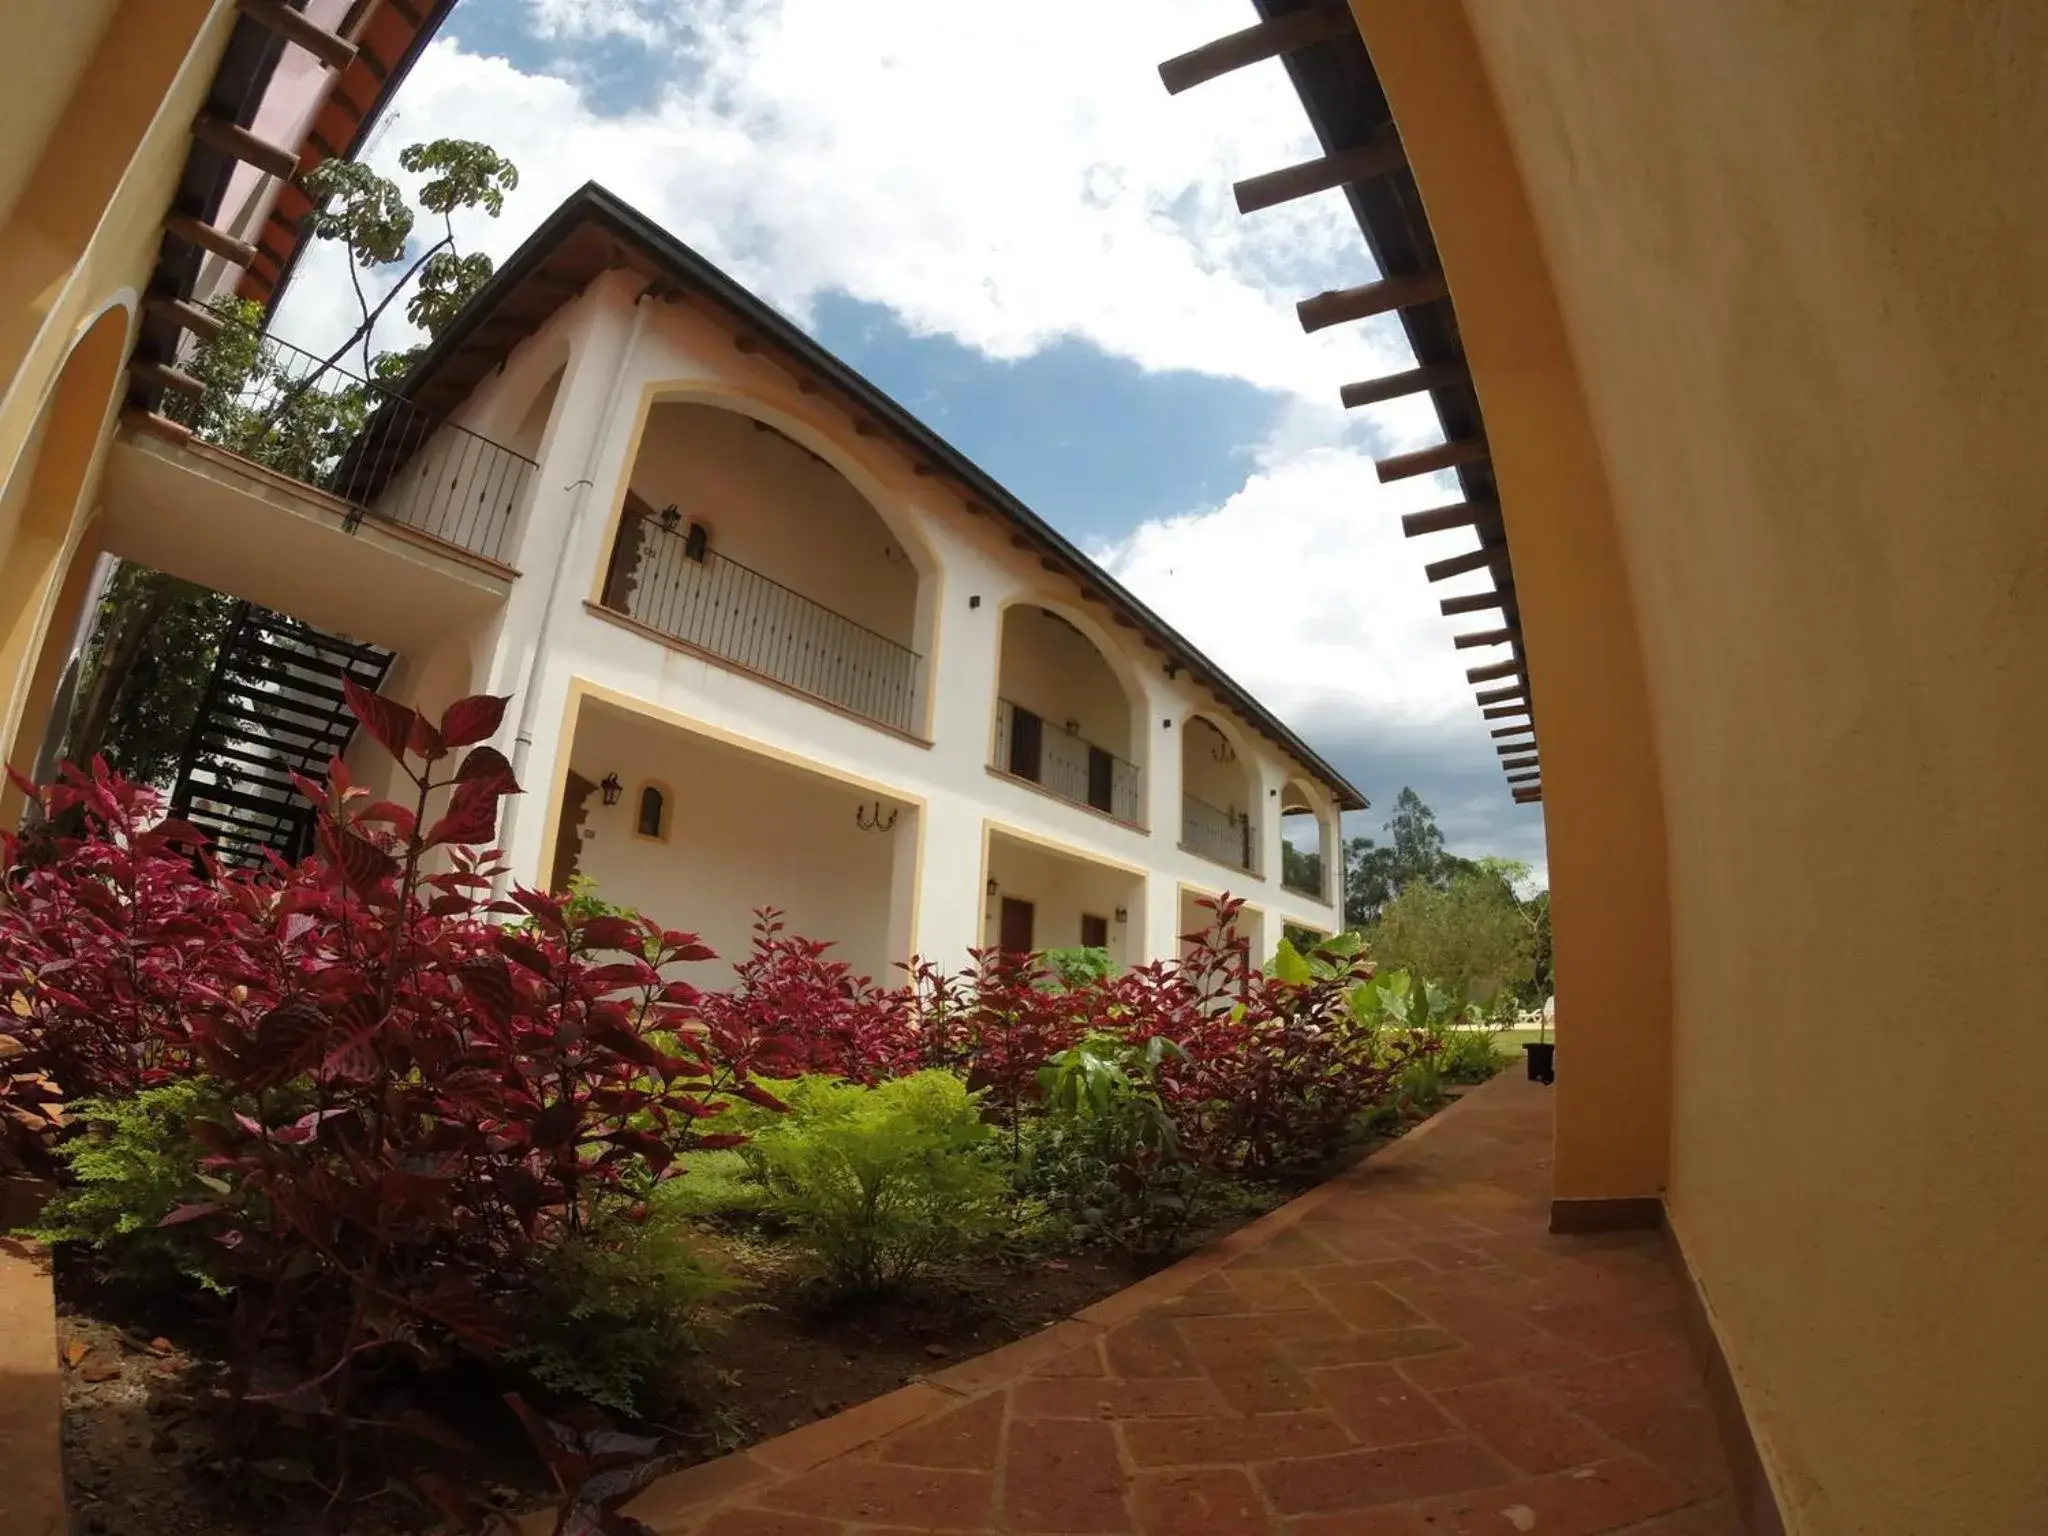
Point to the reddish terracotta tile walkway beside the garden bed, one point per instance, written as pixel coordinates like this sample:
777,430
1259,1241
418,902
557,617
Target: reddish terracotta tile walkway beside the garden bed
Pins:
1402,1353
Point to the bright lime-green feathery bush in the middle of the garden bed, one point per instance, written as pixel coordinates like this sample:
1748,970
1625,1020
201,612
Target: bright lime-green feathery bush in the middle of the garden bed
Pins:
880,1183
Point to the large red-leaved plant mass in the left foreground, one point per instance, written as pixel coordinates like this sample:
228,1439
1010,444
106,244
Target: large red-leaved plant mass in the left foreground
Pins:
417,1095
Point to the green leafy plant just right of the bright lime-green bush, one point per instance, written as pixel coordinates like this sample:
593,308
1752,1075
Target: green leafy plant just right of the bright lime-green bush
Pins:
1107,1154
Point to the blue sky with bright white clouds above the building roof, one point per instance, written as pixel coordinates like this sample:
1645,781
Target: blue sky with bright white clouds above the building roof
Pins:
1035,249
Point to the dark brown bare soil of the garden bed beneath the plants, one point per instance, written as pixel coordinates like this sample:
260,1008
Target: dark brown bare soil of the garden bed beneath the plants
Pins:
153,1445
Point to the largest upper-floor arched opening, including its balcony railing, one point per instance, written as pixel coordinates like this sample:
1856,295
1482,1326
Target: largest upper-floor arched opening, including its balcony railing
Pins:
753,550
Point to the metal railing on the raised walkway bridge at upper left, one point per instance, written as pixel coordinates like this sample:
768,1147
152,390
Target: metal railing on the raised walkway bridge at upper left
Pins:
355,439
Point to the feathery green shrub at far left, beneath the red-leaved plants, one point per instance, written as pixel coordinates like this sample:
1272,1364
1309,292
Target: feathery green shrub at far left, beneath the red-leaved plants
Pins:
136,1164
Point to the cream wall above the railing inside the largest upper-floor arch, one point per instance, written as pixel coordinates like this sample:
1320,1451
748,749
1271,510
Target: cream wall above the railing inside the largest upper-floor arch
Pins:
779,511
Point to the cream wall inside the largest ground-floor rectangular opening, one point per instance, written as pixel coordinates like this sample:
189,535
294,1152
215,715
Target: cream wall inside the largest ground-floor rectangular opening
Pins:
744,833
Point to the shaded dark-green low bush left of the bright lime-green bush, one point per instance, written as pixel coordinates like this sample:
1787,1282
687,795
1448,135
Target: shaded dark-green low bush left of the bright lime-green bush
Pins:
613,1310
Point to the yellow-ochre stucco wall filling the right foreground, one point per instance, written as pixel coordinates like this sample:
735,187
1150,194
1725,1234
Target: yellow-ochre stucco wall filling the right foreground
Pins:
1799,333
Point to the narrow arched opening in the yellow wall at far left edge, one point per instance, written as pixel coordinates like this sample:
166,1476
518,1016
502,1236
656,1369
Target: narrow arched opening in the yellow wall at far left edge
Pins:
40,509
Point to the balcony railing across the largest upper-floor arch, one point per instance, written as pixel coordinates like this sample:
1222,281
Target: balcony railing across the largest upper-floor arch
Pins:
663,579
